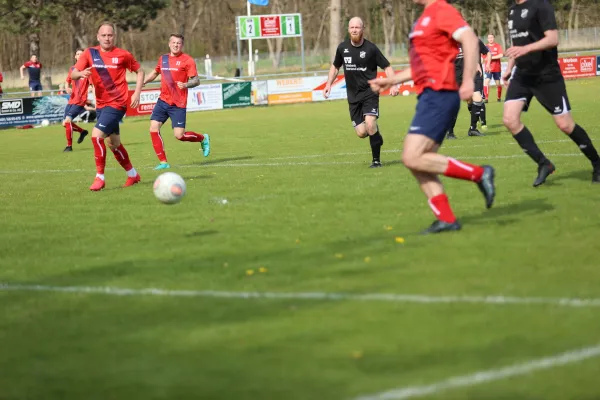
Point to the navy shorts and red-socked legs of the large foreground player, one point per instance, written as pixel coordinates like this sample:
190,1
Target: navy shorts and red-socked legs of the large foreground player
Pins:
435,111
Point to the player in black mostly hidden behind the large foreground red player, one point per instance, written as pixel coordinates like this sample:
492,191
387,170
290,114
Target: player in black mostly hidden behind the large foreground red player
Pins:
476,105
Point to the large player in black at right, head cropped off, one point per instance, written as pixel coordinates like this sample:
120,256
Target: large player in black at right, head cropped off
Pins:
533,31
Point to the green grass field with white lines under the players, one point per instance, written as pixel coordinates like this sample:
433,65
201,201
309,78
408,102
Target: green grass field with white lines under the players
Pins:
304,215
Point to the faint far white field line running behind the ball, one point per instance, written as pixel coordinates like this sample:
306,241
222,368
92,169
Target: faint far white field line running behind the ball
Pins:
273,164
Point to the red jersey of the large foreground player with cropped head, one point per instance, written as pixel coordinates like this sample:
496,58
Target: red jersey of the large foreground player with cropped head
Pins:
432,48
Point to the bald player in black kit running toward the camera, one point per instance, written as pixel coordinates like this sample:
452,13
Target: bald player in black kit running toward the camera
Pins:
360,59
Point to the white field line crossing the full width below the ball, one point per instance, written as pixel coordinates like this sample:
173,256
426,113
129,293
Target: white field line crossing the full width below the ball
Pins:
382,297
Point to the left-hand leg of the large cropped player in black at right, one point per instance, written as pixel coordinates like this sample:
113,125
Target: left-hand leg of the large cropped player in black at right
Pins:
518,97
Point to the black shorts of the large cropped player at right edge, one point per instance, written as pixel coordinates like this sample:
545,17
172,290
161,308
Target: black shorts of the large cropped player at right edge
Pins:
552,95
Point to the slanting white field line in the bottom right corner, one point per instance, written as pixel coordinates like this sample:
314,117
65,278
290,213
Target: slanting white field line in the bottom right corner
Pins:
490,375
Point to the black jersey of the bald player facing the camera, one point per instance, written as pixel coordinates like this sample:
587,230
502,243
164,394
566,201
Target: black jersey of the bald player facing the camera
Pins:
360,66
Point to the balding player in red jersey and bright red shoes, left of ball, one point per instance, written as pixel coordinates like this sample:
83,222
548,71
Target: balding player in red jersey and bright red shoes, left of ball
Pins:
106,65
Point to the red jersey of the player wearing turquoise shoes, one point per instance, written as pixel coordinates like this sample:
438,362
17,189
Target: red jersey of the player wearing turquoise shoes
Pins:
175,69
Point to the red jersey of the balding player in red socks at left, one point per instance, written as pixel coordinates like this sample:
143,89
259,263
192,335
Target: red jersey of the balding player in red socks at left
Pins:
108,74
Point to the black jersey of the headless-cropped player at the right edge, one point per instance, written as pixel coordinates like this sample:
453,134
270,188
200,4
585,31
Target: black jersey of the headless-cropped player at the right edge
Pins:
527,23
